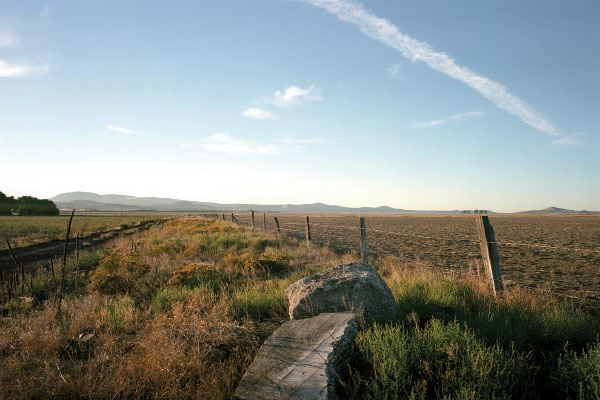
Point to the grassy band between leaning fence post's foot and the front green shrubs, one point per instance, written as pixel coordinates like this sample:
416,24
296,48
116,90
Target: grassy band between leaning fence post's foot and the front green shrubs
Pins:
529,327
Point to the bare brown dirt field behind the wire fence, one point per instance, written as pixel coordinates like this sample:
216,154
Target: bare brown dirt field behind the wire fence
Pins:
559,253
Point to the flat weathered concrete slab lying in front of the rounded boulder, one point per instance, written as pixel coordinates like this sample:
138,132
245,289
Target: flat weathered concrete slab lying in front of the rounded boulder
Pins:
301,360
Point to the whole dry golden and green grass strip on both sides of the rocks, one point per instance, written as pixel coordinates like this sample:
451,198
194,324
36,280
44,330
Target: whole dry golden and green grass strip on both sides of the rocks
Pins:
183,315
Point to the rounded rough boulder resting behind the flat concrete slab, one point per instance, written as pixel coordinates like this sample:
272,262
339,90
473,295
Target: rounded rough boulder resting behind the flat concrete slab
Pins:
347,287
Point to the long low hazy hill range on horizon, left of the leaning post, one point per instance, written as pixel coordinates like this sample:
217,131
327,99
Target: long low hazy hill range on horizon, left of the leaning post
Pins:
117,202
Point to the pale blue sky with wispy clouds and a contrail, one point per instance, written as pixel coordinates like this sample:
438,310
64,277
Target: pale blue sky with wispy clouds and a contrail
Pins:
411,104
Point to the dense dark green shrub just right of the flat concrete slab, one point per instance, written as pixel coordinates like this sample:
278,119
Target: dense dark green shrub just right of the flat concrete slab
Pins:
436,361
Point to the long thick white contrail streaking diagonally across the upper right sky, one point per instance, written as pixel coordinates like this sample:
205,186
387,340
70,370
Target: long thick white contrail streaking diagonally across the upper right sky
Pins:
387,33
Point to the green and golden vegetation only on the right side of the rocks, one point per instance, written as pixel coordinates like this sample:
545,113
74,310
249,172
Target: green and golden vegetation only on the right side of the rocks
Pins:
453,340
